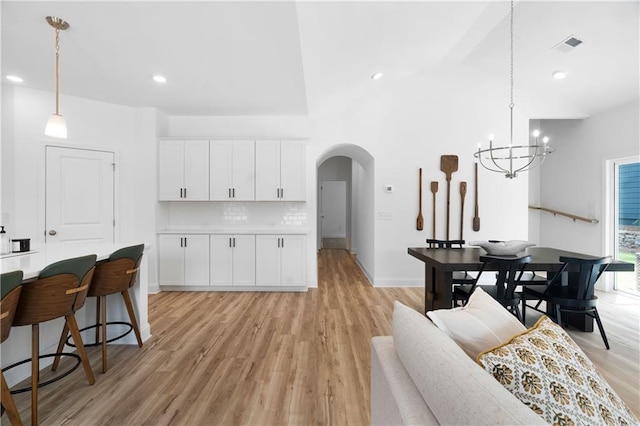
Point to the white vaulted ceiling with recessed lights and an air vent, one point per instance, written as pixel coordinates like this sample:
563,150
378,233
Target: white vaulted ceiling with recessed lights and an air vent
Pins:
291,57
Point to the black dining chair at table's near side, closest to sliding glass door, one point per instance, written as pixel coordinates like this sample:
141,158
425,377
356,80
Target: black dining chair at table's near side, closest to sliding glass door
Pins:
574,297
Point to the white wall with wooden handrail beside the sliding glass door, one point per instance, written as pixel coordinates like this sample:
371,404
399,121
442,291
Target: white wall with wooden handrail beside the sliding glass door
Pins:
573,179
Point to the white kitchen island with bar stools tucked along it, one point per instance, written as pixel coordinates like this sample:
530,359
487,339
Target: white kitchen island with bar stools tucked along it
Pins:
18,346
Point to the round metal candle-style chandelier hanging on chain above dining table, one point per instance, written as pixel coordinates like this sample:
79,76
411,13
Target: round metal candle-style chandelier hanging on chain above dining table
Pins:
512,159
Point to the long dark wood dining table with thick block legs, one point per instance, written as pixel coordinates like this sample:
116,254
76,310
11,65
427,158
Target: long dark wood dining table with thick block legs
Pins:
440,264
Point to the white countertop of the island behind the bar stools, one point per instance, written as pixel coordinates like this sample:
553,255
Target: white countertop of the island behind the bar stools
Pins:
43,254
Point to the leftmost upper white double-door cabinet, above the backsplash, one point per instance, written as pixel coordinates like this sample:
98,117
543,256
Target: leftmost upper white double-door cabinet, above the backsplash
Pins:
183,170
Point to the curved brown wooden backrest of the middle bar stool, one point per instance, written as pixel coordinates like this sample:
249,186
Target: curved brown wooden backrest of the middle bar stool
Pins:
60,290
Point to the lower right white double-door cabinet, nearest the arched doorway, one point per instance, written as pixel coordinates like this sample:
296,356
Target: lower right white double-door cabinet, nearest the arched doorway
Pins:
281,260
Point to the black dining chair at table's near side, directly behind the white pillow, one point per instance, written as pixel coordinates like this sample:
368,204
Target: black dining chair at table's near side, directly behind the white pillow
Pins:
509,268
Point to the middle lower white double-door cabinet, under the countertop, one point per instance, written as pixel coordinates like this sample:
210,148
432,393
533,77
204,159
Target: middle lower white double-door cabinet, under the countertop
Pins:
233,260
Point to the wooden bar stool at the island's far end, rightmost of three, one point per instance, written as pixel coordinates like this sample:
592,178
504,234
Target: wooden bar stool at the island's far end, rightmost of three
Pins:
115,275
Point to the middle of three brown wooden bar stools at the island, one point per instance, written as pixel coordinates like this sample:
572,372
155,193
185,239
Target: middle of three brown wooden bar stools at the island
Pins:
60,290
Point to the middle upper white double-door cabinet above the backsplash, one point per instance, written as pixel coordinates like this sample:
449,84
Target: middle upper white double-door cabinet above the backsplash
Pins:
232,170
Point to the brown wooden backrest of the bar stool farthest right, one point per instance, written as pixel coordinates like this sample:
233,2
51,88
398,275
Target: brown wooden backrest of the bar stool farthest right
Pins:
118,273
